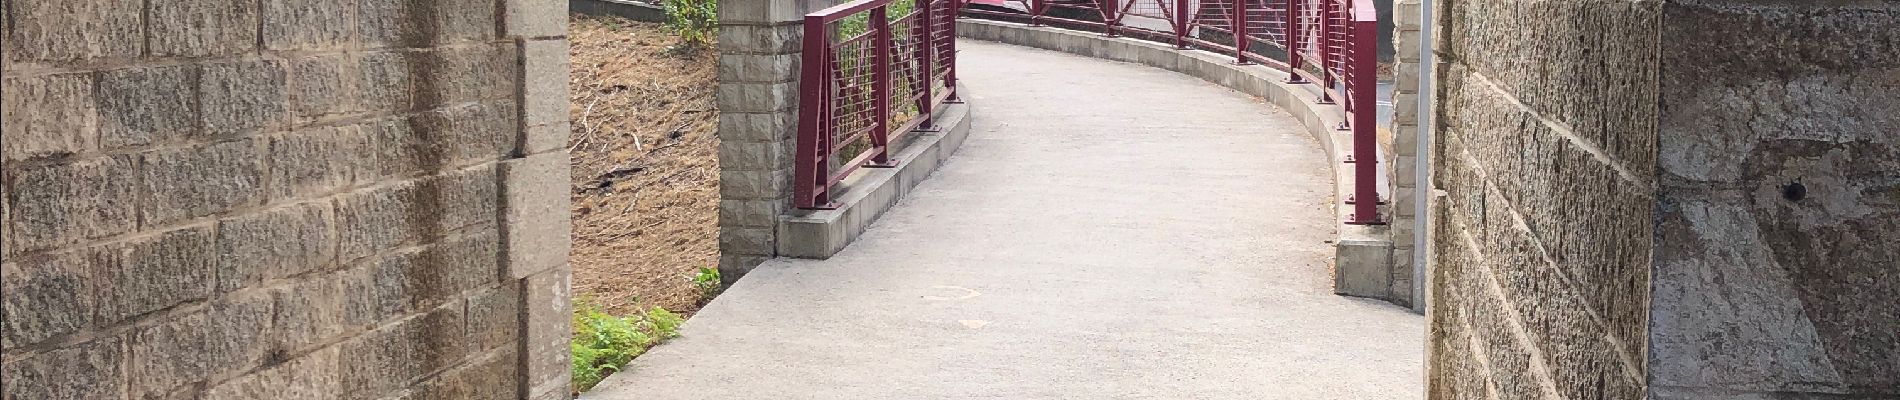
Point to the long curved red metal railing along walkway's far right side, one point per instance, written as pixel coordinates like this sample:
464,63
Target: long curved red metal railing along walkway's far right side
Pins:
1325,43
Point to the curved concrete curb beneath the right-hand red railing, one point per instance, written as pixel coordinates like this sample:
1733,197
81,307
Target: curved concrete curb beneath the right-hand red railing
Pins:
1363,259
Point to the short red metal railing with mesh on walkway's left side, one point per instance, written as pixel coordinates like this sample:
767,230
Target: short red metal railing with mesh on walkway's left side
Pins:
869,79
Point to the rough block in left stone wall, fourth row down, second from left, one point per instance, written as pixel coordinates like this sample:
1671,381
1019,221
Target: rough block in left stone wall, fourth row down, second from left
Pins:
157,272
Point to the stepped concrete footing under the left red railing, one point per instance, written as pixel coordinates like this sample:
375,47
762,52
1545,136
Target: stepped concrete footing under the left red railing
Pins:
869,192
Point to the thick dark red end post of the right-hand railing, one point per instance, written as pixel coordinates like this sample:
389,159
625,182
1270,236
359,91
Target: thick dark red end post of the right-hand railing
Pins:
1363,90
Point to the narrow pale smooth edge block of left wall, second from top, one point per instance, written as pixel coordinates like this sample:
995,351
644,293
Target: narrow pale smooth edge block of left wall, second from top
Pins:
544,82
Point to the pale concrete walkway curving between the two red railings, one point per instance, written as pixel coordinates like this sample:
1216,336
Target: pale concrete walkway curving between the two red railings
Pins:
1109,232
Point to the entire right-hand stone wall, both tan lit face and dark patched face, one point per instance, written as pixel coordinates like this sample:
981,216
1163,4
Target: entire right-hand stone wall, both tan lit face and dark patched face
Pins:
1667,200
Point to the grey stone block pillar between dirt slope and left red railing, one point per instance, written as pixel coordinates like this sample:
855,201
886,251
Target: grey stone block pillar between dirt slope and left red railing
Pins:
759,46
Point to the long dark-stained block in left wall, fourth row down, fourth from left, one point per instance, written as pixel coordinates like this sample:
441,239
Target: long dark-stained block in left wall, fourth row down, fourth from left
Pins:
408,213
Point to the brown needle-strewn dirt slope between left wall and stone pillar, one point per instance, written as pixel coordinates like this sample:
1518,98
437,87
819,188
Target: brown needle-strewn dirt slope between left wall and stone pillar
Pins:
645,166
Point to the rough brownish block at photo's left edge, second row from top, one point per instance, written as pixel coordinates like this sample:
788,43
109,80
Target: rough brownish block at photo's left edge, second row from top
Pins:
48,117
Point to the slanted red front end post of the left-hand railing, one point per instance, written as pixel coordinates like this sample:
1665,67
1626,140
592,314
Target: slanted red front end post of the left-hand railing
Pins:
810,168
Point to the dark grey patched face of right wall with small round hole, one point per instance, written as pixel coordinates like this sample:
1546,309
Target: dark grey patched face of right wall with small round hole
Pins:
1777,259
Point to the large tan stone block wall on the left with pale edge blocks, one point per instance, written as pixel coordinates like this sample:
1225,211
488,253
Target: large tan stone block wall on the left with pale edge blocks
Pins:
284,200
